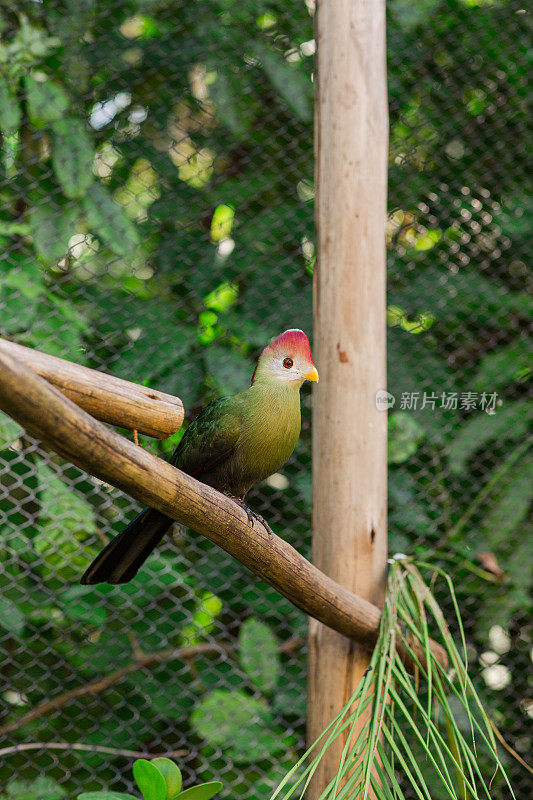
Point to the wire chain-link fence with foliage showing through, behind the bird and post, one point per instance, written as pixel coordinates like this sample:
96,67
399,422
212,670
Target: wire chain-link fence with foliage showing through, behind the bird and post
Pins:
156,218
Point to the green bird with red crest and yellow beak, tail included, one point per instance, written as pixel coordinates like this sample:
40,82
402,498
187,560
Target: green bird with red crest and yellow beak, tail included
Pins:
235,442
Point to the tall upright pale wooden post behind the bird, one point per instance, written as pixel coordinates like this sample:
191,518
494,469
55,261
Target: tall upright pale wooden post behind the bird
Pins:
349,433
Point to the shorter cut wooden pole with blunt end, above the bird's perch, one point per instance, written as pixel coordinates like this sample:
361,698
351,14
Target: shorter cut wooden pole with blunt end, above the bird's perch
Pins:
105,397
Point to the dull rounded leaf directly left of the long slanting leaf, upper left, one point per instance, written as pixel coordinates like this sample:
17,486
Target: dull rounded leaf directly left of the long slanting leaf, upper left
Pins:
52,224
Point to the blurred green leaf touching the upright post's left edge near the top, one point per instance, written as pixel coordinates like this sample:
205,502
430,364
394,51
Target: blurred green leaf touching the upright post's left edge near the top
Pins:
290,81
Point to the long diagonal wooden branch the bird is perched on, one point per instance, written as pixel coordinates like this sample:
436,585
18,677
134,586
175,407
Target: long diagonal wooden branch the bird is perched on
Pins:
75,435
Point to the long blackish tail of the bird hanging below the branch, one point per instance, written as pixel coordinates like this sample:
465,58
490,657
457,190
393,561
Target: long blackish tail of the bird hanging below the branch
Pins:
121,558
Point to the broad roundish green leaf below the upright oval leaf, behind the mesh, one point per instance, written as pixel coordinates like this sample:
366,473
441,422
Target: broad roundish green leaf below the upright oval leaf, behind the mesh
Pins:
241,724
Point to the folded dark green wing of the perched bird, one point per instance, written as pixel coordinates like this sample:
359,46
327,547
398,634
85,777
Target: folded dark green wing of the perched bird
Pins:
210,439
